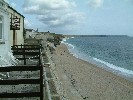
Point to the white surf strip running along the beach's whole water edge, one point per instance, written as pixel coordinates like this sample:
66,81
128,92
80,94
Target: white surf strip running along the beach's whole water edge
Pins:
78,53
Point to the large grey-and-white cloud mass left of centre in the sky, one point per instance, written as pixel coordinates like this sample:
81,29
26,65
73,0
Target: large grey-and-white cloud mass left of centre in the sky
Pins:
54,13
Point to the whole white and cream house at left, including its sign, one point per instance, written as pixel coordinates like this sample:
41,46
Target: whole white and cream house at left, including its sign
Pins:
11,31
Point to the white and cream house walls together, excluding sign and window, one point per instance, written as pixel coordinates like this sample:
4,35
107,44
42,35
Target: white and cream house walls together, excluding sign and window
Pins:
7,35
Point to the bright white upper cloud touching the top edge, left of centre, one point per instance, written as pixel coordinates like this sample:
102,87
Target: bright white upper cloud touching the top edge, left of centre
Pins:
44,6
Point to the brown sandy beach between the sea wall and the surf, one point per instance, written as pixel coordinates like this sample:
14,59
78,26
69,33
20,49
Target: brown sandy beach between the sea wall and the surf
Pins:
81,80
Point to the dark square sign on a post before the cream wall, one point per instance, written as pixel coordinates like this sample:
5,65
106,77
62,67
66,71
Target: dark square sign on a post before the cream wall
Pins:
15,23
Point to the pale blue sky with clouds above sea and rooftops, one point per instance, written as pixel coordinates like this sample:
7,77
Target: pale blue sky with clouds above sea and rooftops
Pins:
110,17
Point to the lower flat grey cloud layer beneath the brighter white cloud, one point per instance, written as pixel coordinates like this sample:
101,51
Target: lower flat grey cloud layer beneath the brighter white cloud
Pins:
63,20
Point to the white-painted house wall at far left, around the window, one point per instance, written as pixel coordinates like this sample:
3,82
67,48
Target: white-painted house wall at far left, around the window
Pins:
4,42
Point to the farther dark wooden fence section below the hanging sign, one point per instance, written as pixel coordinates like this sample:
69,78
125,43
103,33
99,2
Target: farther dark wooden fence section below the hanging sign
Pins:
26,52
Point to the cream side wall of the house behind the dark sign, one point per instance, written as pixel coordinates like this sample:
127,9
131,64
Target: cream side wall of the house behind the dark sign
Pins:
19,33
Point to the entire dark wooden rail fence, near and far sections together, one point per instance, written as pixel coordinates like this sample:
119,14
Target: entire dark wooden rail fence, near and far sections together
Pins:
25,52
